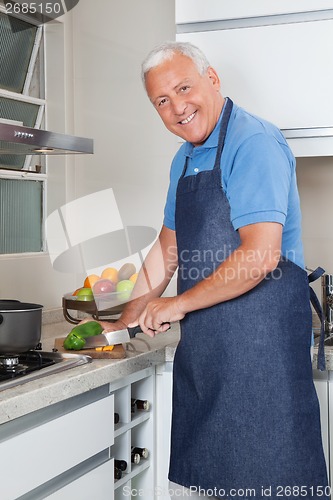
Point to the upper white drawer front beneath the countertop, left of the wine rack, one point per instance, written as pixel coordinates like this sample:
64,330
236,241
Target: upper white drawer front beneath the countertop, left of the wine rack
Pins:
52,448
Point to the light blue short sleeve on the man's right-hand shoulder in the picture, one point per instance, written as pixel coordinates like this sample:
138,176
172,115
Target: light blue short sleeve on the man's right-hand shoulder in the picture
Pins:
259,182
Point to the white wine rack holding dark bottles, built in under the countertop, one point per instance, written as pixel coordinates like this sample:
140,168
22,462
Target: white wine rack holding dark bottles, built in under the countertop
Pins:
134,404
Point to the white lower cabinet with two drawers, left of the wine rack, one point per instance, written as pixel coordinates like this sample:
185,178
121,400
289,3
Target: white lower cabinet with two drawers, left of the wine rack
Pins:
47,450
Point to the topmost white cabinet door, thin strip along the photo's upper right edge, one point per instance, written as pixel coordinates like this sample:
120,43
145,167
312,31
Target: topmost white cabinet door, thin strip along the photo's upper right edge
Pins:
191,11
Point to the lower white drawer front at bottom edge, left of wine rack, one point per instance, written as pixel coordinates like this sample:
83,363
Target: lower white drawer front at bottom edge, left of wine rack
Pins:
97,484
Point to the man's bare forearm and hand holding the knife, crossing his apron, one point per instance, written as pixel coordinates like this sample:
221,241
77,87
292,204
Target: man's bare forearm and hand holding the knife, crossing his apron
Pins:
257,255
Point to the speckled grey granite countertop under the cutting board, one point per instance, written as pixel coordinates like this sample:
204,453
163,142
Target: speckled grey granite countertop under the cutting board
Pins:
145,352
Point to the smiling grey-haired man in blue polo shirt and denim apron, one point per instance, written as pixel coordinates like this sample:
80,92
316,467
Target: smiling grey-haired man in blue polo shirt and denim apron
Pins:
245,411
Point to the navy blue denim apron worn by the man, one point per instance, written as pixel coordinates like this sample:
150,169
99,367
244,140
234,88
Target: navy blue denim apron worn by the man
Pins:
245,410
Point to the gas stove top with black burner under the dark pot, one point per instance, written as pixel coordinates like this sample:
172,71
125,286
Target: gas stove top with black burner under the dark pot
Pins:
17,369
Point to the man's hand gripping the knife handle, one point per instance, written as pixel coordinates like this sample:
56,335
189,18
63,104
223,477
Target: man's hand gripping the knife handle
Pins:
158,314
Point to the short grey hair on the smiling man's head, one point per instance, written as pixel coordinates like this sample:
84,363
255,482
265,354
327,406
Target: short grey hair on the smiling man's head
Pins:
167,50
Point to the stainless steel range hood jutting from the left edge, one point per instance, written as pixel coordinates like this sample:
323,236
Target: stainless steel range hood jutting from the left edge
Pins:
20,140
